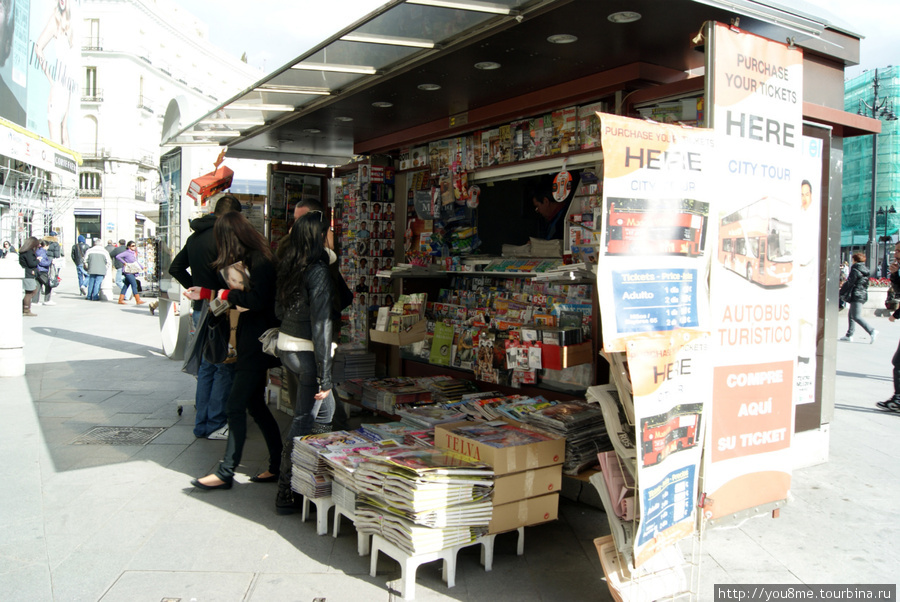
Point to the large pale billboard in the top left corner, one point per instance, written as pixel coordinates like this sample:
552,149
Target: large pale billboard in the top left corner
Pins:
40,64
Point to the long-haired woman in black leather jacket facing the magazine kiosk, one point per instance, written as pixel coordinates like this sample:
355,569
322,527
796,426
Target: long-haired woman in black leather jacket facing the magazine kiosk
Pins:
304,303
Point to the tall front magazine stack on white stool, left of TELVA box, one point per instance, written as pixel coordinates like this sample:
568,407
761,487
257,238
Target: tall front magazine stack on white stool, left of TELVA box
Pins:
422,500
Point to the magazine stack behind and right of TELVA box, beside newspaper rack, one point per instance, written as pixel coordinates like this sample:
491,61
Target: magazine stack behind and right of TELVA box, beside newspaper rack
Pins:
583,427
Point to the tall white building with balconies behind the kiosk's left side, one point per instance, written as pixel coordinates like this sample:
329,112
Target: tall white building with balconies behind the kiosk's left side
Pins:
136,56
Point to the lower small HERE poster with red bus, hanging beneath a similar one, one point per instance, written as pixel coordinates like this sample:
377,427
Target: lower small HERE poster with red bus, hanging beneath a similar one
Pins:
671,378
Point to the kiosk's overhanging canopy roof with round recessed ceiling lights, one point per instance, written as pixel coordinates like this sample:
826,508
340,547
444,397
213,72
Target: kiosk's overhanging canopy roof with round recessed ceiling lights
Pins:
438,70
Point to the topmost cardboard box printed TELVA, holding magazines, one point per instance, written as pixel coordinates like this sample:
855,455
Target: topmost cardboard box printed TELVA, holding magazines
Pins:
504,460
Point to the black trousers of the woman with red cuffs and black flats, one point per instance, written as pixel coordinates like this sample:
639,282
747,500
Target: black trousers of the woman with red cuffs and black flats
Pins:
248,394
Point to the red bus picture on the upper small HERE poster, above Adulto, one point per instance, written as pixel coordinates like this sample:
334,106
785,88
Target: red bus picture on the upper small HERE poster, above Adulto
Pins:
656,227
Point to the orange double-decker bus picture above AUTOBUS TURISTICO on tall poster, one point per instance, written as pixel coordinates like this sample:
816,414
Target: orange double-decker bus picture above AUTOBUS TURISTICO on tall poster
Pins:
756,242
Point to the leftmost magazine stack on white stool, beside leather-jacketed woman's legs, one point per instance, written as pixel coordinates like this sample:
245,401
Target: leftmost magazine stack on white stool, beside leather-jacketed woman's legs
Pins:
310,473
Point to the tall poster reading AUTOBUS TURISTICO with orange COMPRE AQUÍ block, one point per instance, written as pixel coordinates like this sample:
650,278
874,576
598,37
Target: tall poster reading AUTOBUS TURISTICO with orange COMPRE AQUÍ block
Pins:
756,90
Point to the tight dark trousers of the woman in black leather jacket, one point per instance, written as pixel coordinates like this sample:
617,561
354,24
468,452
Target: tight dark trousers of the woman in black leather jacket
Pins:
308,410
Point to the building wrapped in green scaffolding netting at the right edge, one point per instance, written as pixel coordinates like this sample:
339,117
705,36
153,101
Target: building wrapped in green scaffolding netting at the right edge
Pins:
856,208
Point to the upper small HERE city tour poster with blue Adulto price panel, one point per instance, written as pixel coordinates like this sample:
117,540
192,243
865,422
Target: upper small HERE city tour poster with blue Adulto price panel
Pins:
653,259
